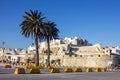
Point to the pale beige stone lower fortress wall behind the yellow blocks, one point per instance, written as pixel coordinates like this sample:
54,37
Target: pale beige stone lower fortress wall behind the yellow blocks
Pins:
88,61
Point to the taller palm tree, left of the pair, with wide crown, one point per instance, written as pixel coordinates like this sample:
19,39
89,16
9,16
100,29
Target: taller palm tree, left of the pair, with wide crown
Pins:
32,26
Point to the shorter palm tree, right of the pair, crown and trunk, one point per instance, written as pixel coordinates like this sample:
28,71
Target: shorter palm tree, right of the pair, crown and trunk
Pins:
51,32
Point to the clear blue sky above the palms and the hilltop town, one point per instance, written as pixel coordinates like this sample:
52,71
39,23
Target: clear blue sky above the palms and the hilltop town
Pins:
98,21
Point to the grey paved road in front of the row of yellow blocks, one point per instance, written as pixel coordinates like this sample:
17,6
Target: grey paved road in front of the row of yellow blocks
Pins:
63,76
